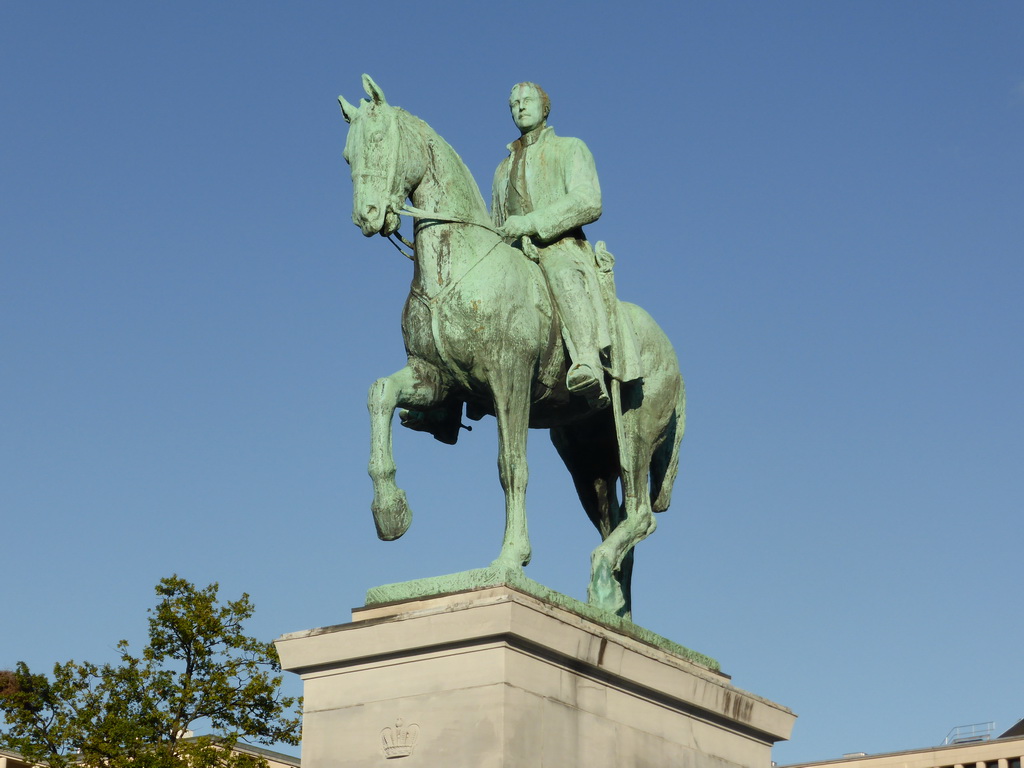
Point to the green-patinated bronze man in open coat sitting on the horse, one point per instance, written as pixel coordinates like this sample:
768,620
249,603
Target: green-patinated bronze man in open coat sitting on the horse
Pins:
546,191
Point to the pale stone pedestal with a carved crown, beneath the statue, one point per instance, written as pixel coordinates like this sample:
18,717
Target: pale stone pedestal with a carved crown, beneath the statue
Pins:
496,678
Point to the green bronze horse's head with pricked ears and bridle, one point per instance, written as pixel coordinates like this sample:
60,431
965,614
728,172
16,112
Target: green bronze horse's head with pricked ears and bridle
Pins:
383,172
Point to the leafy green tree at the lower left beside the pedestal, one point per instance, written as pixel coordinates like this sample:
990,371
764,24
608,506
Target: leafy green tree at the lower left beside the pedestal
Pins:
198,669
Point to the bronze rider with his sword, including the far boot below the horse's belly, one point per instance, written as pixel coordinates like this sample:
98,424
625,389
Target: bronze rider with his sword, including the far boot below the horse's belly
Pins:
543,195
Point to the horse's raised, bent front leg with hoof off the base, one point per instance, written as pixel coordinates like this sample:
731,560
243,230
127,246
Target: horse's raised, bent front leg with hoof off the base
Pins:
408,389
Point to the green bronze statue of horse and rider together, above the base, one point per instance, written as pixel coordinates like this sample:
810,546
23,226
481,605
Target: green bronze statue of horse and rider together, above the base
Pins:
514,315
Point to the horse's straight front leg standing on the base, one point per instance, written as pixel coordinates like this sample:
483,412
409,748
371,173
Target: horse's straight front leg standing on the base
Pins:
513,411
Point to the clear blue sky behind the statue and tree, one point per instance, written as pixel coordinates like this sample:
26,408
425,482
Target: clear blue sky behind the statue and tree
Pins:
823,203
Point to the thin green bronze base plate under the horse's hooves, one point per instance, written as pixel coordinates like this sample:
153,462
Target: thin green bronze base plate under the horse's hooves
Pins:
515,578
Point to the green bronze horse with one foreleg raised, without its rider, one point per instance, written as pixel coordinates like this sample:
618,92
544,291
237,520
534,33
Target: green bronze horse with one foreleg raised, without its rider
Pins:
481,332
